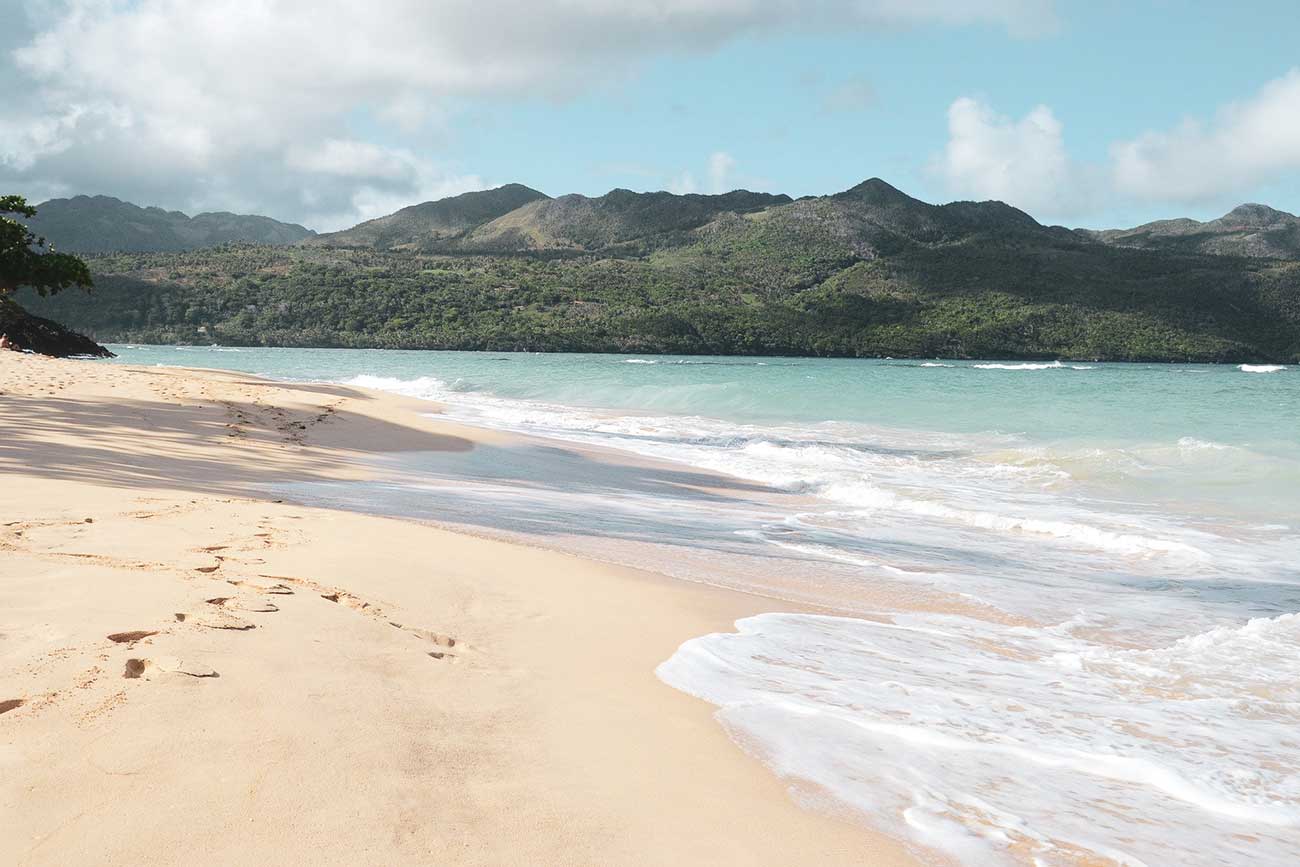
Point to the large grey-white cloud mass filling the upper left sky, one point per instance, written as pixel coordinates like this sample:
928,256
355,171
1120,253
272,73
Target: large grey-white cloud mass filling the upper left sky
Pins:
228,103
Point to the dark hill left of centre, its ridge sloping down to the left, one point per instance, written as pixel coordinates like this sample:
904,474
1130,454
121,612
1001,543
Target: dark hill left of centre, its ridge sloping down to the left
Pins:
431,223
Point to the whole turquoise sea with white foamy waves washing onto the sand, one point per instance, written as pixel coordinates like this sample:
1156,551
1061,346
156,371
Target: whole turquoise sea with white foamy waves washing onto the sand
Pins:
1041,613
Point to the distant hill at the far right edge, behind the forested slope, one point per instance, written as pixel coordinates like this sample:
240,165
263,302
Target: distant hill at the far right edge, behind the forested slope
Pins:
1254,231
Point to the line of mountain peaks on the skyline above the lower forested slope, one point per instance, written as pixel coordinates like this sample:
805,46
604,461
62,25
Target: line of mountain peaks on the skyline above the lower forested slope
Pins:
515,219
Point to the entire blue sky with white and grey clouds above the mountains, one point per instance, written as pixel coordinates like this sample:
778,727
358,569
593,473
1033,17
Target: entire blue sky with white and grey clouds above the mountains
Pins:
330,112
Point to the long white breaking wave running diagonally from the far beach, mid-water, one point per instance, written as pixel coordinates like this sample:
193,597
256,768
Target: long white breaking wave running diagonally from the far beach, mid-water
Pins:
876,472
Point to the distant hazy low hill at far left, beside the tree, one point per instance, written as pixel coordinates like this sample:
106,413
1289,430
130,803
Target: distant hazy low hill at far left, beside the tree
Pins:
105,224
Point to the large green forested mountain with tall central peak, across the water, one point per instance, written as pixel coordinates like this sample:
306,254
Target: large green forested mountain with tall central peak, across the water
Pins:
866,272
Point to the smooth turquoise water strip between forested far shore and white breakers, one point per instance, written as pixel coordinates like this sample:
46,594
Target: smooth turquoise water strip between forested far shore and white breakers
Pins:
1076,401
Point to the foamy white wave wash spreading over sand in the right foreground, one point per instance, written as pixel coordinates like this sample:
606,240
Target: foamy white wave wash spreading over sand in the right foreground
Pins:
986,740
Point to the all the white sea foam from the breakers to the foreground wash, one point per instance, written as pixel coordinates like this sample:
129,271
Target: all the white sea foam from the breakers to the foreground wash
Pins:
1108,736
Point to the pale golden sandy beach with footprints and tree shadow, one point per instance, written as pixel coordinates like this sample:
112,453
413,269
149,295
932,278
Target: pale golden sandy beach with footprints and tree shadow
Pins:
194,674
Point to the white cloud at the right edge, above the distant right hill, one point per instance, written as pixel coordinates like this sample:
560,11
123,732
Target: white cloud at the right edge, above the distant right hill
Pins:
1247,144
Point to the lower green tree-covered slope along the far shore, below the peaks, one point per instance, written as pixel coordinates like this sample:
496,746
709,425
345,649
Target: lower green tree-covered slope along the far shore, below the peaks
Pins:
978,297
